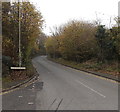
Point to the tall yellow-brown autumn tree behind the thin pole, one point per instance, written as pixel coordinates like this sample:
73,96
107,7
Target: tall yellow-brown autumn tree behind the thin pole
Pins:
31,27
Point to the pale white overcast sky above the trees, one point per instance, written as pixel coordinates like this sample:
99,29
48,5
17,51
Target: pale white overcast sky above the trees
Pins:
57,12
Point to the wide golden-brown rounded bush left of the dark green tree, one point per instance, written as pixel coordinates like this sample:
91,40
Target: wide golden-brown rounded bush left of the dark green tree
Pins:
73,41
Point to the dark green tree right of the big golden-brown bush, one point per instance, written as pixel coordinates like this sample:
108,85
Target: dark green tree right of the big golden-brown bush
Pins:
106,39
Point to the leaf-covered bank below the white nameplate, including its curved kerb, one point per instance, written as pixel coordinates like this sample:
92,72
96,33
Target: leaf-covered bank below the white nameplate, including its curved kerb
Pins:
17,78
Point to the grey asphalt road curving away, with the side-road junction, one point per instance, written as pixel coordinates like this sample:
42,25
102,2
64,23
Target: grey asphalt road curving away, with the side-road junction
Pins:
65,89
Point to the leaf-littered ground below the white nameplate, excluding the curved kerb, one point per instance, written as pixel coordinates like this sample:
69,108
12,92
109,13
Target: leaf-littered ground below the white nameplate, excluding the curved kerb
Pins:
14,77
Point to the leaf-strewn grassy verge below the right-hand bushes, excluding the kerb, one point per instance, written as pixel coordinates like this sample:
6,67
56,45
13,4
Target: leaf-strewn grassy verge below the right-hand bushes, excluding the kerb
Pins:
110,68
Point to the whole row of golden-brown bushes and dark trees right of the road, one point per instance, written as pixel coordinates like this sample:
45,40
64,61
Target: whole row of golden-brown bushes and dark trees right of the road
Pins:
80,41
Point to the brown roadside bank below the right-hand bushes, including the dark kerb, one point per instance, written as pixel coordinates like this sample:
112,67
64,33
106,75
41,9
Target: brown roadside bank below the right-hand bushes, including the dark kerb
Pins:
103,70
